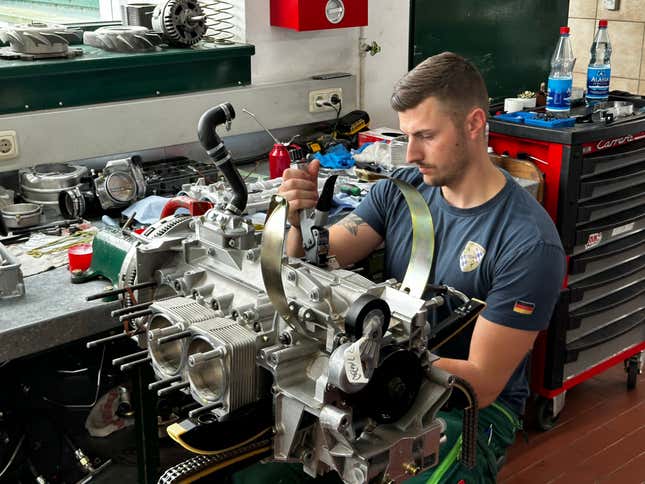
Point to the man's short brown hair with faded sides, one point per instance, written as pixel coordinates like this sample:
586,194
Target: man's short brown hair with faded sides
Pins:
448,77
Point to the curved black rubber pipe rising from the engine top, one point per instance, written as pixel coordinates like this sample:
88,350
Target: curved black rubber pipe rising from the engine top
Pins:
215,148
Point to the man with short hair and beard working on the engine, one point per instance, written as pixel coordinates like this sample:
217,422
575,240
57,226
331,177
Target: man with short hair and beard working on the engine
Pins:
493,242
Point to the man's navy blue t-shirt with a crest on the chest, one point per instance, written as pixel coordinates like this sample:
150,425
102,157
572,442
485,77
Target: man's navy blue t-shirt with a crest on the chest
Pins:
505,252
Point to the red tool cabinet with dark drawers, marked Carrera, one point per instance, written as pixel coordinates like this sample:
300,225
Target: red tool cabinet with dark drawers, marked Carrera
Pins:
595,193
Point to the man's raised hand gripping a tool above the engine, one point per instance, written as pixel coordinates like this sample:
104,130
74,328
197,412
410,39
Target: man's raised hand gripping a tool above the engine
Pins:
300,189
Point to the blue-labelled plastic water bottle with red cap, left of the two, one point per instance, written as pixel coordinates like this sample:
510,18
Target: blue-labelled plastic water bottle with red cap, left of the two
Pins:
558,100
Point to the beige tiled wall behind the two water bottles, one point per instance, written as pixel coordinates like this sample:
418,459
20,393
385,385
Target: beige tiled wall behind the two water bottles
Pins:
627,34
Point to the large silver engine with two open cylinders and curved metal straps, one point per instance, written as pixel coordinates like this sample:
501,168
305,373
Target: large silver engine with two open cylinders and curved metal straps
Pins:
235,325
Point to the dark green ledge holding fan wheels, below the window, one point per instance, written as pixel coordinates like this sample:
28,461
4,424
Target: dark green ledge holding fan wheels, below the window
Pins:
98,76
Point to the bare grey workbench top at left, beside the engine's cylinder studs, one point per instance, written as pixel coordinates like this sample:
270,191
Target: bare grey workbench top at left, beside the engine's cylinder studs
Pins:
51,313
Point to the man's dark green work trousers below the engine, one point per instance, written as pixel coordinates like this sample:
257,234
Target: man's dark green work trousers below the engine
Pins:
497,427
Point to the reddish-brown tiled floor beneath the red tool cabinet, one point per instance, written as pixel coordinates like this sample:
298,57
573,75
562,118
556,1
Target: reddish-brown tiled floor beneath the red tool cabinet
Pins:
599,438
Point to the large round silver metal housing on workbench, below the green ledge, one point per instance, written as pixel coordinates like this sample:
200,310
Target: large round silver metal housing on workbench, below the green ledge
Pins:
43,183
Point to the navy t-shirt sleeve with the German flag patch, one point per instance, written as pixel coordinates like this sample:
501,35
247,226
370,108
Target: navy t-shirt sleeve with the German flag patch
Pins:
526,286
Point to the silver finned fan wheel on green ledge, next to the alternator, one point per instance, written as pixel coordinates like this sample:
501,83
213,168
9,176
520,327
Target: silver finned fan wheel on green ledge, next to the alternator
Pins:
119,38
